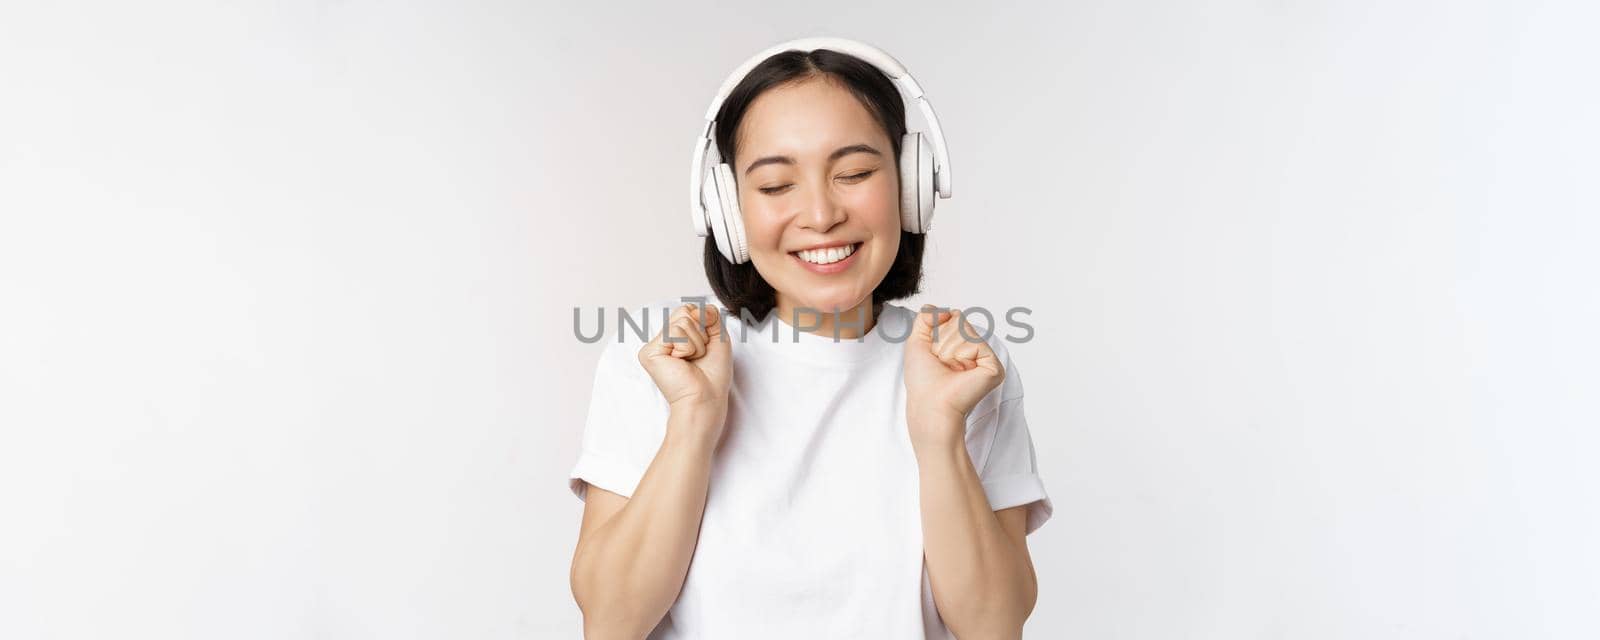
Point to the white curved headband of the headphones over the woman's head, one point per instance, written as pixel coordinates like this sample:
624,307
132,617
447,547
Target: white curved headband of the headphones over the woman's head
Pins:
873,55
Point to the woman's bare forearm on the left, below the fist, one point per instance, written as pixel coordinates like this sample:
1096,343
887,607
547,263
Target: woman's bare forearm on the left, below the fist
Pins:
628,574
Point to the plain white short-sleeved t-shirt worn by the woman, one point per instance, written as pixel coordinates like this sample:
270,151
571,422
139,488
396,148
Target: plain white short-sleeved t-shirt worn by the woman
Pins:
812,524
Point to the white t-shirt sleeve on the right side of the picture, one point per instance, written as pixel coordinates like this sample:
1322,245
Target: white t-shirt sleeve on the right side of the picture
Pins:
1002,449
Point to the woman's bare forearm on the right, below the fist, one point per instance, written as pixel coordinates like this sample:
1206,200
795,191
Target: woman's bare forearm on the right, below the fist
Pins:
982,582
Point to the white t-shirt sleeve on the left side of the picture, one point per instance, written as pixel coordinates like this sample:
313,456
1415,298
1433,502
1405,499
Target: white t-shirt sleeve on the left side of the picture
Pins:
625,426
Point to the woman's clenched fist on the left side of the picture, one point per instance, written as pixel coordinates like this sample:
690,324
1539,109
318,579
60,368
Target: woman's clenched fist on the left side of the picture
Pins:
695,370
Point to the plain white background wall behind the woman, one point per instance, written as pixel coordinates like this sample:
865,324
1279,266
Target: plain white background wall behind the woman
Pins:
286,303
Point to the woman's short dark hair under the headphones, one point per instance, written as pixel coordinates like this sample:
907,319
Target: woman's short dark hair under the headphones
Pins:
740,287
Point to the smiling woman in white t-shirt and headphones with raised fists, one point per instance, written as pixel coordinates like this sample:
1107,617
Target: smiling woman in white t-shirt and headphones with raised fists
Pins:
750,476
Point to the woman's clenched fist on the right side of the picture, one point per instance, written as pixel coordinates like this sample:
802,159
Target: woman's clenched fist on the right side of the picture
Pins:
946,377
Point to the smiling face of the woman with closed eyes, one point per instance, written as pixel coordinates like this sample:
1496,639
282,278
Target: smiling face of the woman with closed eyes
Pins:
817,170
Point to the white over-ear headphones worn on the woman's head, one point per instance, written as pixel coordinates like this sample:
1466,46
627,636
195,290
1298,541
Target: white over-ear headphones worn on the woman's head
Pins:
924,172
